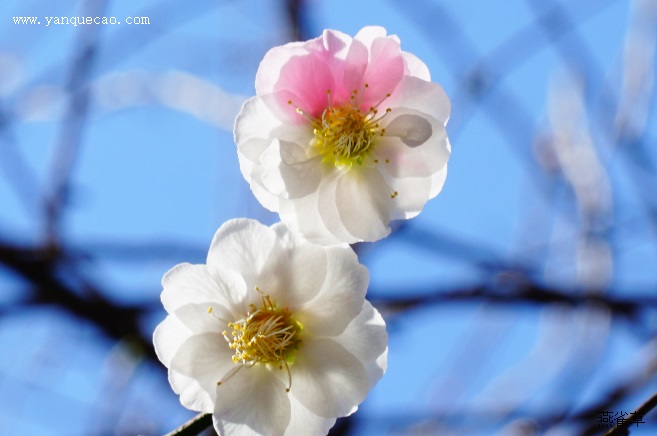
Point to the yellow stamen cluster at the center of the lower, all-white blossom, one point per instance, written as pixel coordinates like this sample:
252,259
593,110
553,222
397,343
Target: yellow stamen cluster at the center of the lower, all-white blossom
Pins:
266,335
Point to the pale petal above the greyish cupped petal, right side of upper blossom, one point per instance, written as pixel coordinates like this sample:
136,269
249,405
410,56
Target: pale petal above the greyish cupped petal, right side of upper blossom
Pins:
422,96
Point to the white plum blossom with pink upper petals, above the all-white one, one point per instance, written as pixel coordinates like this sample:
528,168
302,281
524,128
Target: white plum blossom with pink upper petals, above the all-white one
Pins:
343,135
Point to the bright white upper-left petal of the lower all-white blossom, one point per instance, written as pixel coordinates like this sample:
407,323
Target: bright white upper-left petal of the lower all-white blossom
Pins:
186,283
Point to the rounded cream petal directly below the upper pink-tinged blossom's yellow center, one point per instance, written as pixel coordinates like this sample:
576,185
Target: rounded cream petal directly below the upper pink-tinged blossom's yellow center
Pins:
363,202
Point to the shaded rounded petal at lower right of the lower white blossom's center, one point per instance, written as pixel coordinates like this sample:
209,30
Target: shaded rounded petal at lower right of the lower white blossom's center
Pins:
327,379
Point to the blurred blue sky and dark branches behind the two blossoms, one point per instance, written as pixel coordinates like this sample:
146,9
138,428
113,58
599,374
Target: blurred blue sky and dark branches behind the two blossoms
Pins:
521,301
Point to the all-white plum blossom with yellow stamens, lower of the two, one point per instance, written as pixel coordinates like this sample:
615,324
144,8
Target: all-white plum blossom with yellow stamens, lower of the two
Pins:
273,334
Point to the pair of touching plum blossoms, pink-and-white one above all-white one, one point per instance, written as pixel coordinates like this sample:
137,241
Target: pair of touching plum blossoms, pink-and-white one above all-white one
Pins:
273,334
